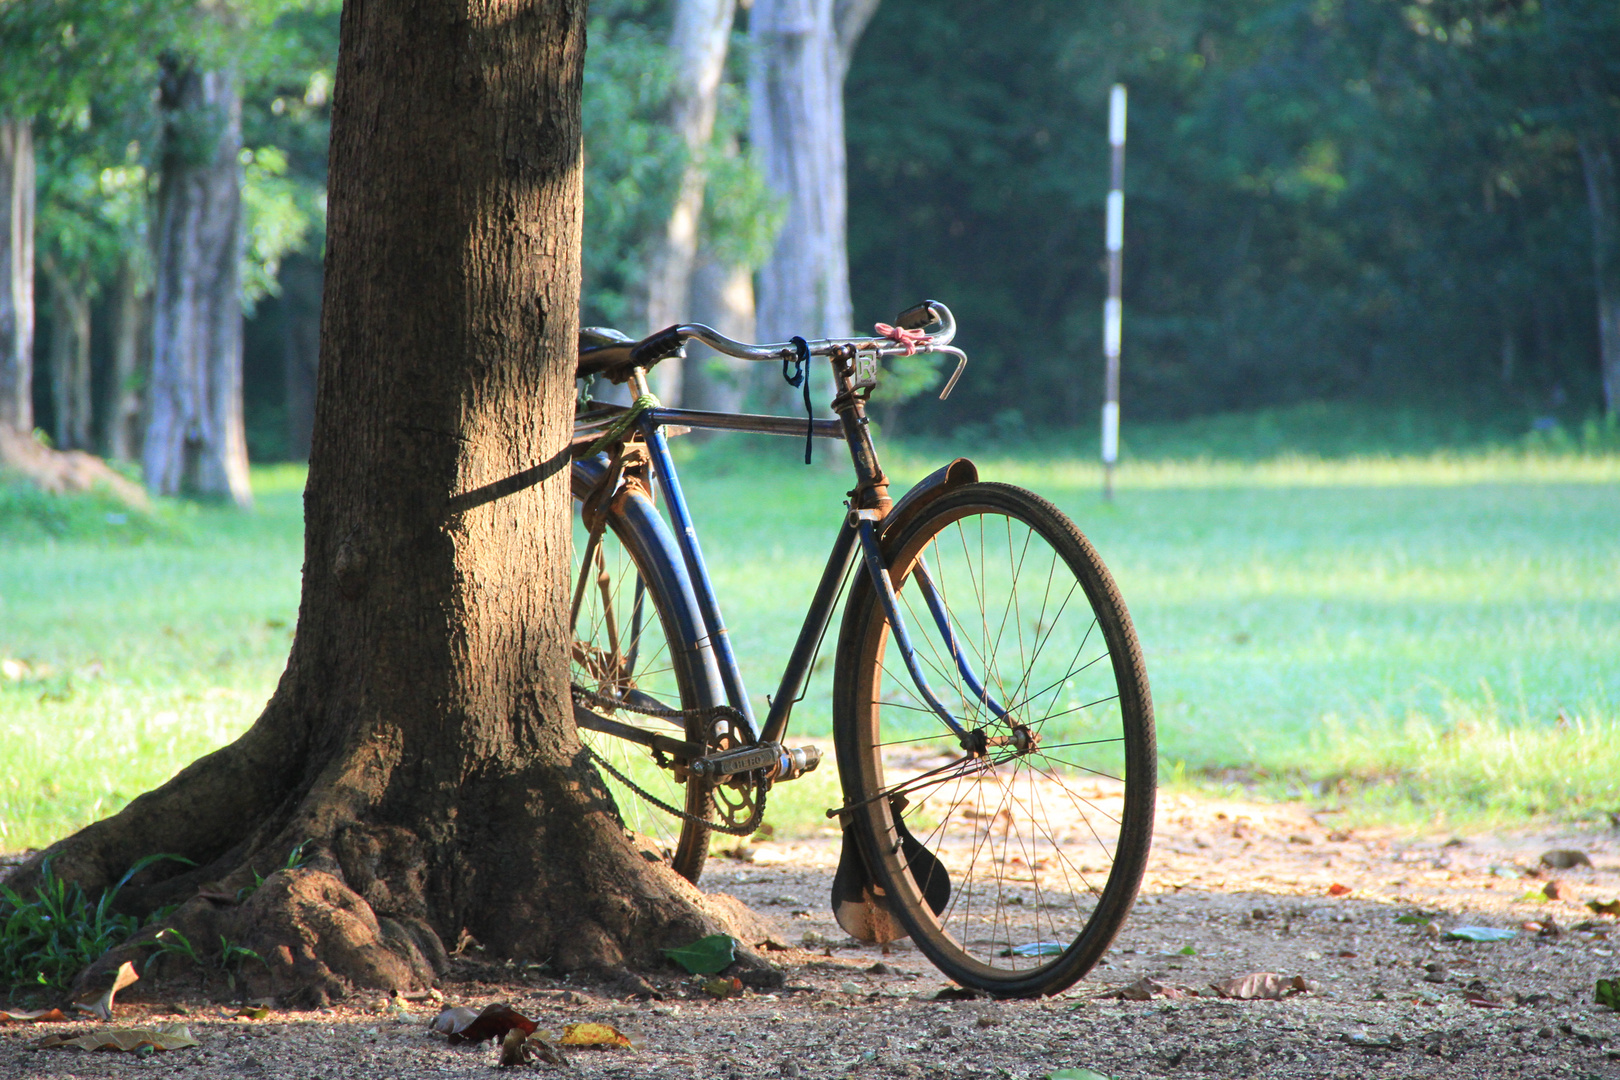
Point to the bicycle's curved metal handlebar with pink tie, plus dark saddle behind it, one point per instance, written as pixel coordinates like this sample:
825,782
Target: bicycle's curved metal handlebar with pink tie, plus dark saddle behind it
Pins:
616,359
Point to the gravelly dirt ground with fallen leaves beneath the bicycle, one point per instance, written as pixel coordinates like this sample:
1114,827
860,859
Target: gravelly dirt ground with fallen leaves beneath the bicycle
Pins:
1245,888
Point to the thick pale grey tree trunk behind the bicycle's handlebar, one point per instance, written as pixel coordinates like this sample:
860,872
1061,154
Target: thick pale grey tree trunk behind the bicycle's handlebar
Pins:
803,53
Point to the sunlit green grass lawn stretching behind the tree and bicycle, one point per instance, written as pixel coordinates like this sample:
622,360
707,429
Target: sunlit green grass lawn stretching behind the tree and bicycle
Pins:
1426,637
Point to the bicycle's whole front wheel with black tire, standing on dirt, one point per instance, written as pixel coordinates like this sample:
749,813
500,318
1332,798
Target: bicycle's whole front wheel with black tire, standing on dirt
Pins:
1028,916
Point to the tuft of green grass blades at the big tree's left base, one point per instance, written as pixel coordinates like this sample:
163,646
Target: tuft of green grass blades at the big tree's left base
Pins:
49,938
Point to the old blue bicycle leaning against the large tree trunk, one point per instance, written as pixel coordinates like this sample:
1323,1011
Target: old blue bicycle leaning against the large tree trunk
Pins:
997,775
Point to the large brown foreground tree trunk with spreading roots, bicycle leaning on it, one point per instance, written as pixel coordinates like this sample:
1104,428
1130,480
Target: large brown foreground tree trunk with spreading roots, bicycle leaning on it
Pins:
420,746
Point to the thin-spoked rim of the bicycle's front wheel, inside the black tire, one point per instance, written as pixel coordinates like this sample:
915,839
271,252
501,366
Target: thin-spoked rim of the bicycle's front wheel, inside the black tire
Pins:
1030,835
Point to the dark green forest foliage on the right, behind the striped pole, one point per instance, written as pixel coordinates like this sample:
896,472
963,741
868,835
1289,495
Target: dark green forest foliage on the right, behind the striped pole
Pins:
1324,202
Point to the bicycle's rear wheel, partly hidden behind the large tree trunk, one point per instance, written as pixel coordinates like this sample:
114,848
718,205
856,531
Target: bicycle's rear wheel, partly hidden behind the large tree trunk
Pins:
670,663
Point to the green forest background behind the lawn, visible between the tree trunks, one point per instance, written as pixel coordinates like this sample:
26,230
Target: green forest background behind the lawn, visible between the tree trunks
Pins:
1402,208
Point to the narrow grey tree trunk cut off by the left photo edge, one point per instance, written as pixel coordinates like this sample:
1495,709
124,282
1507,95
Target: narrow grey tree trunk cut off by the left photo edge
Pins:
17,274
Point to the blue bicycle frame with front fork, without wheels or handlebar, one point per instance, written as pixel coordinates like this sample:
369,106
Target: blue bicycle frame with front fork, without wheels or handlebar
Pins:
859,530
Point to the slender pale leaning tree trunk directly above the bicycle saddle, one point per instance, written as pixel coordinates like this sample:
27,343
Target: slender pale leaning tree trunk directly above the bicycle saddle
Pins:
697,49
